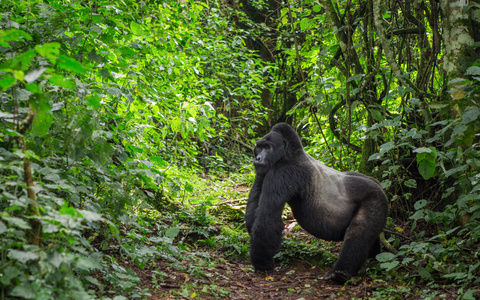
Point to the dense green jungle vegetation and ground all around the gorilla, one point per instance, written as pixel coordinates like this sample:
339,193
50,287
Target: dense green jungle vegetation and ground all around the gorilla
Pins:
127,129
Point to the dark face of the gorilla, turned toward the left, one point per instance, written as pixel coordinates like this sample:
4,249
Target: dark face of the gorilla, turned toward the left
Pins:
268,150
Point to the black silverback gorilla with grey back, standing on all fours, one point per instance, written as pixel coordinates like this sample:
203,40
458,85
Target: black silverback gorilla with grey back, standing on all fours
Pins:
329,204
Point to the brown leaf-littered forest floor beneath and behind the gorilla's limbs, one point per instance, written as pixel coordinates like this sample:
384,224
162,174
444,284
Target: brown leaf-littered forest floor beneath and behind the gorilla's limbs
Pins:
208,273
